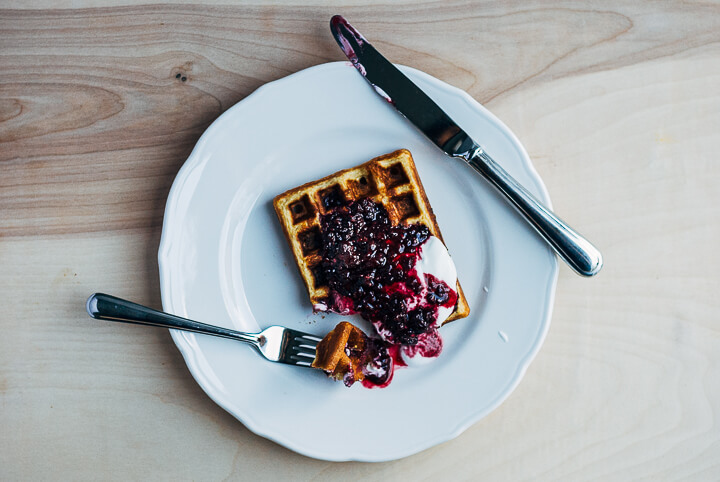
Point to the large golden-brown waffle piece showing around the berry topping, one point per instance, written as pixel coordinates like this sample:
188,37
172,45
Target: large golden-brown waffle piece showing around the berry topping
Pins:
390,180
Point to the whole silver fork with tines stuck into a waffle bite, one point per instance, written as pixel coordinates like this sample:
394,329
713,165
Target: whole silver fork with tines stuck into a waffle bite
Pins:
276,343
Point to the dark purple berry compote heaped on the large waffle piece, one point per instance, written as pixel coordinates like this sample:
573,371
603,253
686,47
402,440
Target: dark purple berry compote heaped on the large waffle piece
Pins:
370,269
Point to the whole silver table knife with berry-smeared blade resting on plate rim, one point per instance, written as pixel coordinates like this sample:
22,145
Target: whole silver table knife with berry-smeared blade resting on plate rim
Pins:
400,92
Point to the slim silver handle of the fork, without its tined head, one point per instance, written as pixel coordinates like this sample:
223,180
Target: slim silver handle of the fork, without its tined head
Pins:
105,307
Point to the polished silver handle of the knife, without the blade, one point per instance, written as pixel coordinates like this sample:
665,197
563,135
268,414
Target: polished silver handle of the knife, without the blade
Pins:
575,250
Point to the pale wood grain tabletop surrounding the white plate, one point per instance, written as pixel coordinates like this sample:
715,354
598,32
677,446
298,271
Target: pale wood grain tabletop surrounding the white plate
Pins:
618,104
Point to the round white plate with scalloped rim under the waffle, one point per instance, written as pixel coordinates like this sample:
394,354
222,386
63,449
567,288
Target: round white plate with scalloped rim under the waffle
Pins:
224,260
